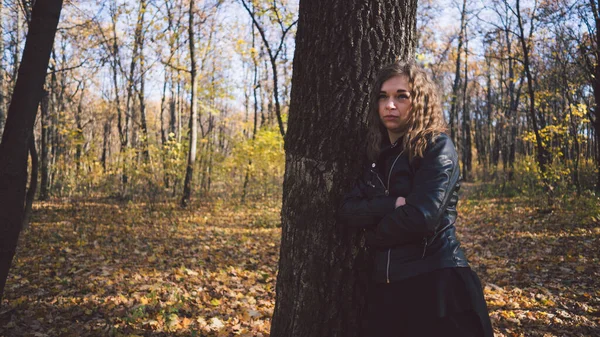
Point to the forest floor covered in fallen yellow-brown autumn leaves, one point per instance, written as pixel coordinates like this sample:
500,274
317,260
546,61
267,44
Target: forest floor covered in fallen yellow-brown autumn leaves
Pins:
102,268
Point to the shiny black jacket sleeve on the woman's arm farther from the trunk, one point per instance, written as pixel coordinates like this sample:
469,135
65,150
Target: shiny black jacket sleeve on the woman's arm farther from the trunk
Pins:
433,184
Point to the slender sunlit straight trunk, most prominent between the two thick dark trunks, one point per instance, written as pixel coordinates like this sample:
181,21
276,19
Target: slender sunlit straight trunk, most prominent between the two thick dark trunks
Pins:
189,173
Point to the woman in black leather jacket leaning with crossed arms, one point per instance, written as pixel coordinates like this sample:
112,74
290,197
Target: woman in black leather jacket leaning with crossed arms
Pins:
406,202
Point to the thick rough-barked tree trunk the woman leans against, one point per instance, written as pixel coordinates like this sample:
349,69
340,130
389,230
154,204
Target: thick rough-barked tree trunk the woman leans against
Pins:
340,45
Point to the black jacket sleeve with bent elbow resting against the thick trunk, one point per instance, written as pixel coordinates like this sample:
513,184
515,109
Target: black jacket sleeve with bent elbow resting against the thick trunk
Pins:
365,205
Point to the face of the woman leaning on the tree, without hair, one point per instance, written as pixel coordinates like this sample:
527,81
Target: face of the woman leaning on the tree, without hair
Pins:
394,104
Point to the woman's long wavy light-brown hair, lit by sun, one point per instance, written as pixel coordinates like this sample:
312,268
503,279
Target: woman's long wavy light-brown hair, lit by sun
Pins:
426,119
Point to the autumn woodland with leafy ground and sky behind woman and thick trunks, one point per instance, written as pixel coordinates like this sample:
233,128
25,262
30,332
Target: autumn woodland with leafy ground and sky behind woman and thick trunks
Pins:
138,121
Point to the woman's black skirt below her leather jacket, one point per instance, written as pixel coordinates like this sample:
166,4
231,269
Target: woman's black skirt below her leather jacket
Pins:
445,302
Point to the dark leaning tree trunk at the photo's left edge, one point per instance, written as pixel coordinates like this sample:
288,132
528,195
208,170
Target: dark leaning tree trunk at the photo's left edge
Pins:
19,128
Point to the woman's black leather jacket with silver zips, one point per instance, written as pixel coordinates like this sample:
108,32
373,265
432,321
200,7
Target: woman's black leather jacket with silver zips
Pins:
418,237
